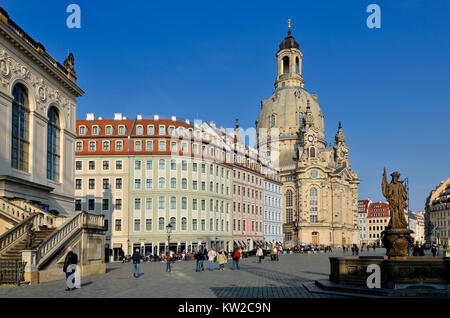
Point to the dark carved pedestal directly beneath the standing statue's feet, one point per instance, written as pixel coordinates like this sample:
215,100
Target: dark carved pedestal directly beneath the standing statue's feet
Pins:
396,242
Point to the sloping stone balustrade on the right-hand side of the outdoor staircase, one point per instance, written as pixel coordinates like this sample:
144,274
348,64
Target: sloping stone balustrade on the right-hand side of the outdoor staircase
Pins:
77,222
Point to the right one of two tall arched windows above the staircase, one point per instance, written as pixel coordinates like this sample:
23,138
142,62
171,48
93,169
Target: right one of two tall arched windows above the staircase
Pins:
53,144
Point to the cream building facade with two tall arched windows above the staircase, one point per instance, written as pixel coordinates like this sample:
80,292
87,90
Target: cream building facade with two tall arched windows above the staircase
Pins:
37,131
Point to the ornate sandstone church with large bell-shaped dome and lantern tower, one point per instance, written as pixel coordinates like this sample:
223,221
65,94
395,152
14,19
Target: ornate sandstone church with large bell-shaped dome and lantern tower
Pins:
320,190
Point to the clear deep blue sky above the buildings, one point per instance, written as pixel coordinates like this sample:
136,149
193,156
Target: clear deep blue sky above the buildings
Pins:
214,60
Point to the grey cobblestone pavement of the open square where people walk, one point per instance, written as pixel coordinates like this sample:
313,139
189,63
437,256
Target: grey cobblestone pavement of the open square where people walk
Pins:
283,279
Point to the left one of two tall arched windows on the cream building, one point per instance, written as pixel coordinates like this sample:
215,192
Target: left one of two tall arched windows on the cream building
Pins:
19,136
